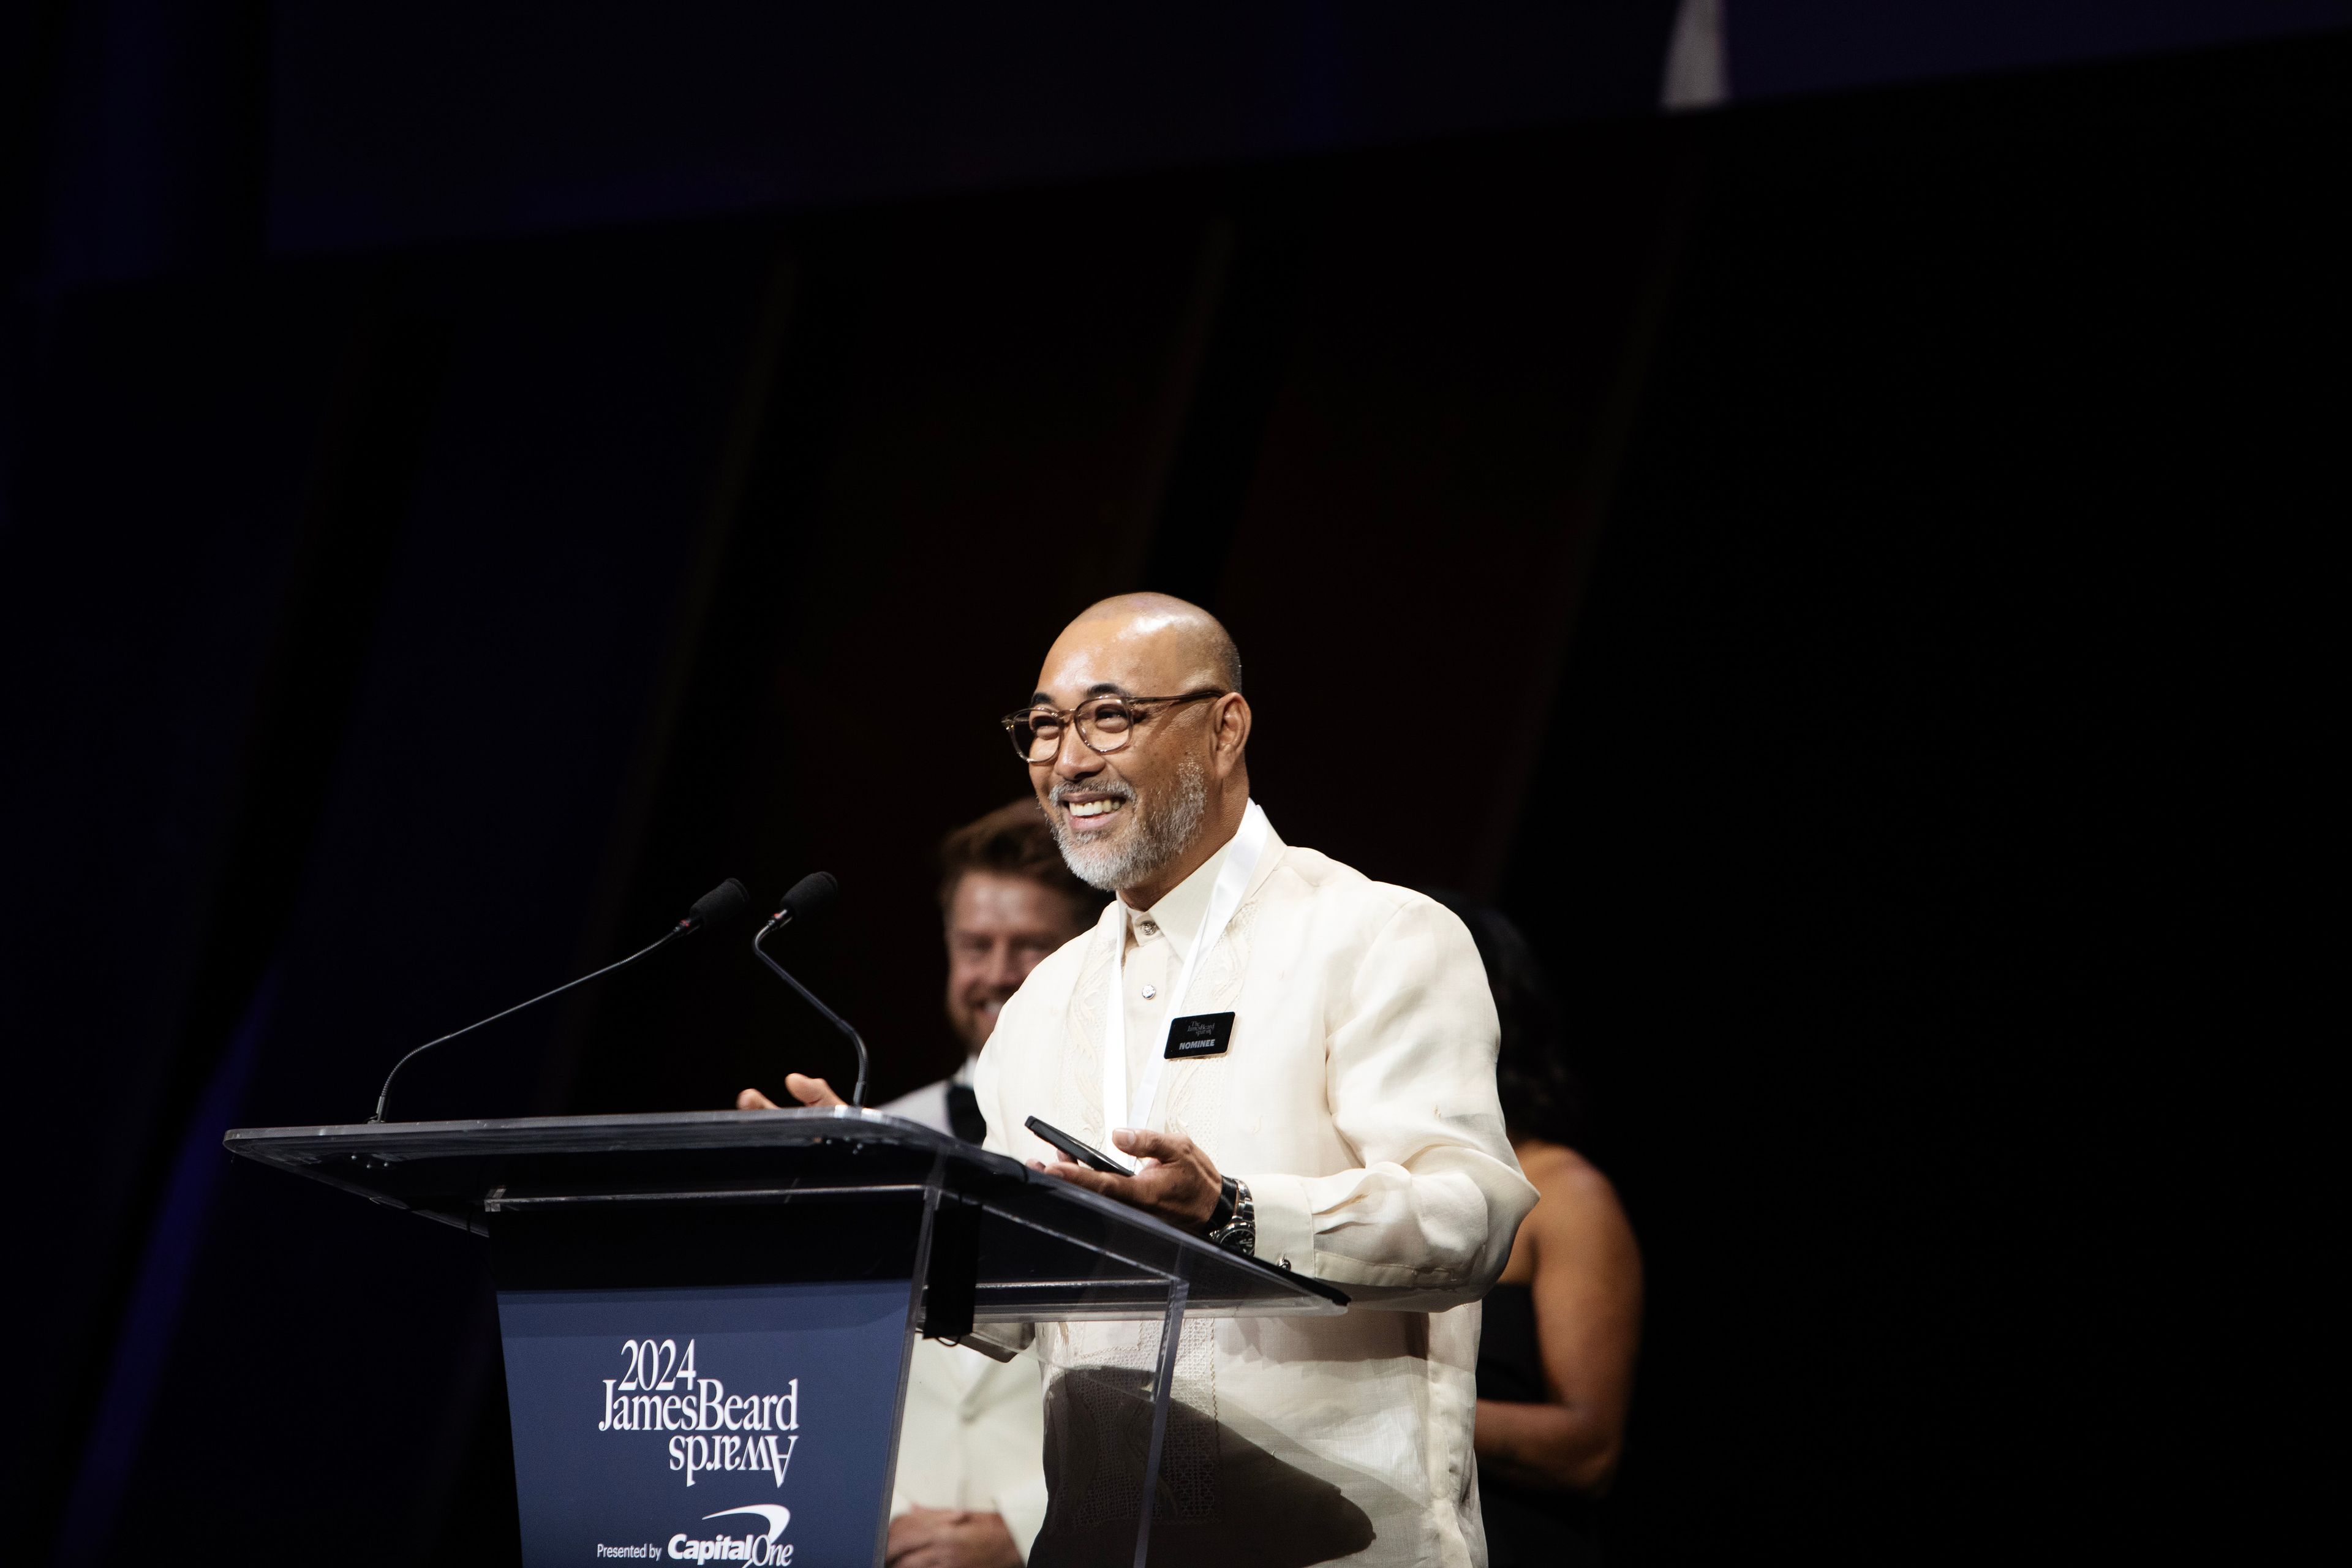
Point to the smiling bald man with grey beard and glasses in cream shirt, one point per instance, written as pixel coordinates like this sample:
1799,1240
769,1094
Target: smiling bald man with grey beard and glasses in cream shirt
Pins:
1302,1066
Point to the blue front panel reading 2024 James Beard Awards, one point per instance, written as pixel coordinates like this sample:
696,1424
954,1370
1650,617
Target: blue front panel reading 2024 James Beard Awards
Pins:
709,1426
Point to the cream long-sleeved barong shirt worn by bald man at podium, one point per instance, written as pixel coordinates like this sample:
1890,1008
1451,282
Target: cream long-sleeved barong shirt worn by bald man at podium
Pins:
1358,1101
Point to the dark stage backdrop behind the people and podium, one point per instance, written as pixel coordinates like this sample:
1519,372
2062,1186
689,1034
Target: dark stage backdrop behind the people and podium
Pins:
1836,570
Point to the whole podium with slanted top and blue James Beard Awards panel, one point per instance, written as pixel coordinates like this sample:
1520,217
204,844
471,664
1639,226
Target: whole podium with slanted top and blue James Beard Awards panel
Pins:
728,1301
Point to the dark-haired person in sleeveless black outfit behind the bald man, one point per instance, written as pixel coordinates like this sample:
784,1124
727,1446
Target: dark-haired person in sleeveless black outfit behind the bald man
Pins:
1565,1320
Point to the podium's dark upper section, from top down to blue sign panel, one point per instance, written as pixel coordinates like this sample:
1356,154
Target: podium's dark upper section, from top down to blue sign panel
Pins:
690,1198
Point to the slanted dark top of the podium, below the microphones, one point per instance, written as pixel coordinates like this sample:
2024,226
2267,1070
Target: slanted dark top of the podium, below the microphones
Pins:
1045,1249
